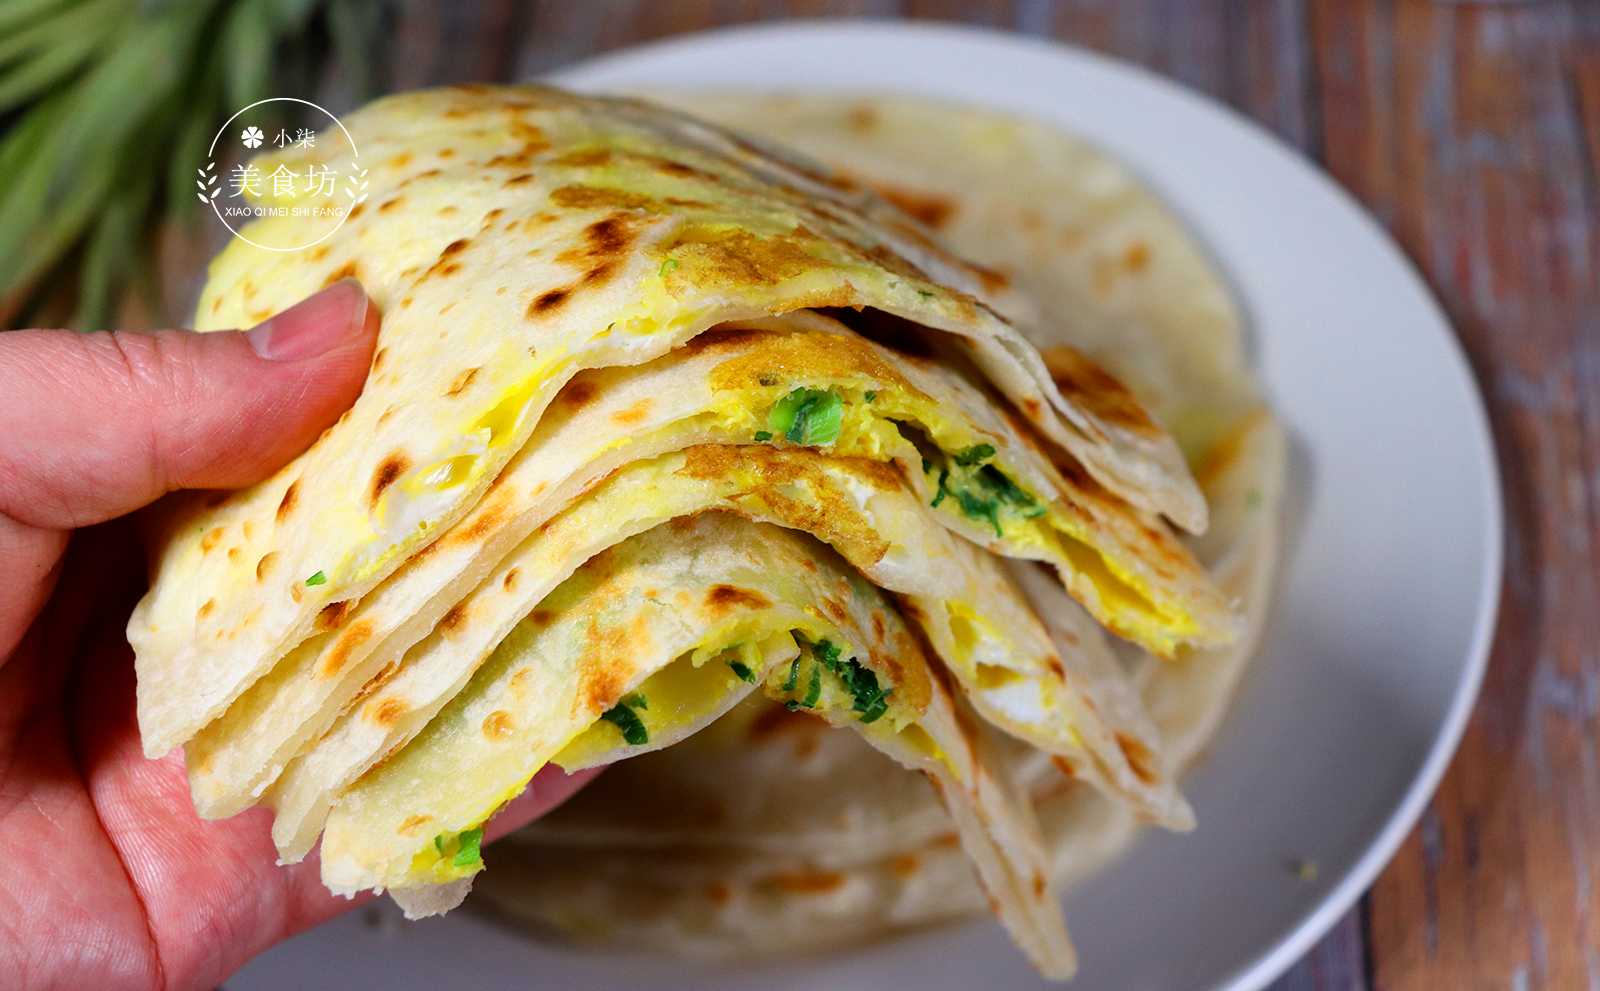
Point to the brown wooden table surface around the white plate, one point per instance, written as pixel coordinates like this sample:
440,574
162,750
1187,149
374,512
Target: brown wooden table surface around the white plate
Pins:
1473,130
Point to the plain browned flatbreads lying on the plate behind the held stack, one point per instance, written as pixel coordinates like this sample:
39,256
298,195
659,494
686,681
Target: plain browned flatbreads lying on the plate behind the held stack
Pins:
1057,220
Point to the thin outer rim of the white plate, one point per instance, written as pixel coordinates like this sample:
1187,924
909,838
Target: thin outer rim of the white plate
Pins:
1282,953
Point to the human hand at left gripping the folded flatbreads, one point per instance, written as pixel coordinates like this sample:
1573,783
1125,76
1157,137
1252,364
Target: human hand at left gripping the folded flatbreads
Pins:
108,880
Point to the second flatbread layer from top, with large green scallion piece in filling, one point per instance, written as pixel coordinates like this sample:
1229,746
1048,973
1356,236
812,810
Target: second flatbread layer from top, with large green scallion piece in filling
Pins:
801,380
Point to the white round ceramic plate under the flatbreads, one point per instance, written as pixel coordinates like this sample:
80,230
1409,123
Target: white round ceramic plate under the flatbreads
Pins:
1385,612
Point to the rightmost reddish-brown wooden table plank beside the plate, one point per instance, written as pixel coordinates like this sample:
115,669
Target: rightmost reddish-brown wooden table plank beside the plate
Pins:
1463,127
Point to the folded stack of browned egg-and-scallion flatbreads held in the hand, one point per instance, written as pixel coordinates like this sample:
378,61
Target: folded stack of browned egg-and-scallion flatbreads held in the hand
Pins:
663,423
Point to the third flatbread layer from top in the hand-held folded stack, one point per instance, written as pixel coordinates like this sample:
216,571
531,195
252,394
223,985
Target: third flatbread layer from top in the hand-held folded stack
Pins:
1060,691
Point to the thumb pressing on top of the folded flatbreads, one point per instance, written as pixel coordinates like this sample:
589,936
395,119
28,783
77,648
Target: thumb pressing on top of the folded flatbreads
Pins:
95,427
